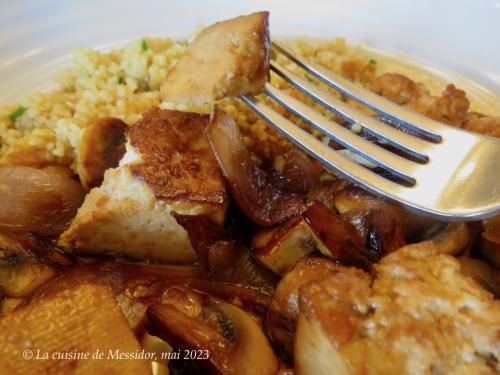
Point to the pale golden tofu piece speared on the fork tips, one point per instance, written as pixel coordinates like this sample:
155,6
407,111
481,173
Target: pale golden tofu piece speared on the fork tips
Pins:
228,58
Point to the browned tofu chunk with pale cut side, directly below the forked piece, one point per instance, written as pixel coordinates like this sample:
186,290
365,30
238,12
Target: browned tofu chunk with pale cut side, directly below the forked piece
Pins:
168,167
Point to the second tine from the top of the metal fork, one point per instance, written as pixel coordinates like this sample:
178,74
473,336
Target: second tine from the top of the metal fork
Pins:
408,143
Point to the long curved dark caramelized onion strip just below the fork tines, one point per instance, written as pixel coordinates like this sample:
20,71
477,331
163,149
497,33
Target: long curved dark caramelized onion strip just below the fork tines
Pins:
261,200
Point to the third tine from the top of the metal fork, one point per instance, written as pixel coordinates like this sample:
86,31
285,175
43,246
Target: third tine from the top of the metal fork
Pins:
377,155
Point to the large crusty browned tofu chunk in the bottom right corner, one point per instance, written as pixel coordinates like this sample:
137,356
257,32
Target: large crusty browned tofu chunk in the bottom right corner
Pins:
416,314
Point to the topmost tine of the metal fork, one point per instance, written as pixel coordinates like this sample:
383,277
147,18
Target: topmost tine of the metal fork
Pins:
391,111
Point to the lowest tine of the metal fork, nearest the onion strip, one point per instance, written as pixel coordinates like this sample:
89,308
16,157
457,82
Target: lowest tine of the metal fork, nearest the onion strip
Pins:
328,156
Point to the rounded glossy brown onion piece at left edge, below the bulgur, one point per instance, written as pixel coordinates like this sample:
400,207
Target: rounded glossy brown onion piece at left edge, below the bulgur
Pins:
42,201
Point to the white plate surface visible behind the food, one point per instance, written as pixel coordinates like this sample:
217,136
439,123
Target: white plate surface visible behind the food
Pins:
37,37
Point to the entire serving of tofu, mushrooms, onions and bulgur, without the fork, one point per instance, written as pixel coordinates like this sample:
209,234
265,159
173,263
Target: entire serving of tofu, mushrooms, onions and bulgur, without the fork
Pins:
146,210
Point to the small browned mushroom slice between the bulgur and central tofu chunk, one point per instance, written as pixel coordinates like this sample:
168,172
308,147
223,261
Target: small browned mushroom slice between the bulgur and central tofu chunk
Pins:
102,146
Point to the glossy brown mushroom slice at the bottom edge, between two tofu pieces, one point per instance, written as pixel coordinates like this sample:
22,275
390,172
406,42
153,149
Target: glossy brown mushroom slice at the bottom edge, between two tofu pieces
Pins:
225,336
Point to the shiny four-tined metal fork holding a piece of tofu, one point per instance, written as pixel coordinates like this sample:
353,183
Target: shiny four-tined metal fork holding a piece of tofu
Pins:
449,174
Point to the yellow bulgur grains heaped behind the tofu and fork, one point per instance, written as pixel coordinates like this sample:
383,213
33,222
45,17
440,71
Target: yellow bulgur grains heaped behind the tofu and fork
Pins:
125,82
